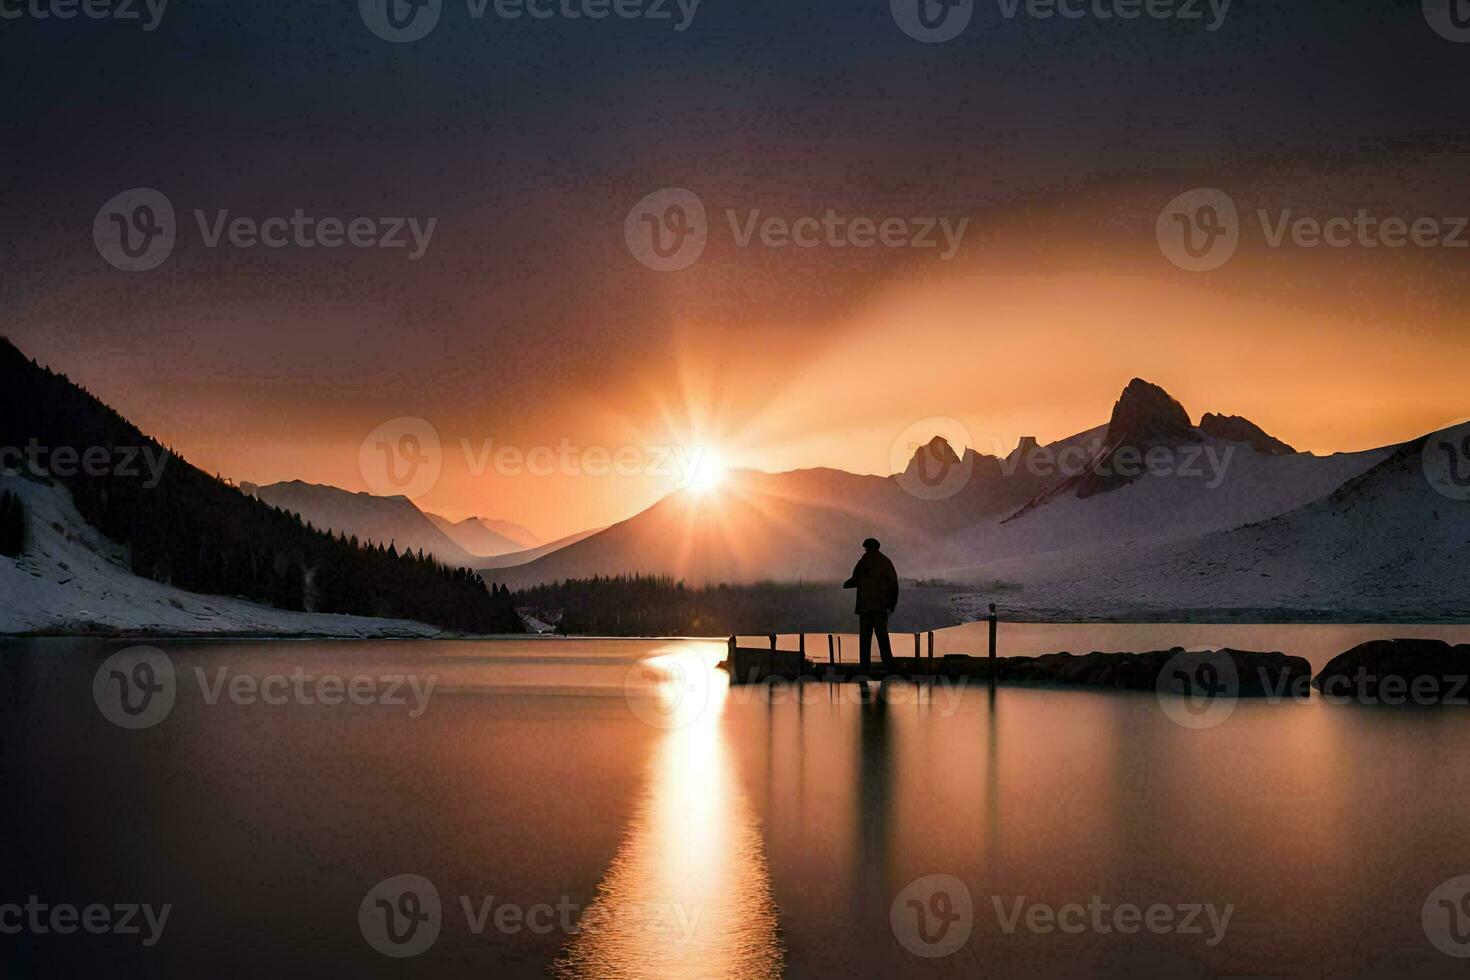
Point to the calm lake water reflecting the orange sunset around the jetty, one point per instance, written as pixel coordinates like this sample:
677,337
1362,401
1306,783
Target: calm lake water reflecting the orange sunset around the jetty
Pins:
612,809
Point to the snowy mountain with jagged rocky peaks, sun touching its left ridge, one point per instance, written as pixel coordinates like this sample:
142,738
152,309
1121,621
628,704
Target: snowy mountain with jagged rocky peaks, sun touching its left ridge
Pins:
1116,496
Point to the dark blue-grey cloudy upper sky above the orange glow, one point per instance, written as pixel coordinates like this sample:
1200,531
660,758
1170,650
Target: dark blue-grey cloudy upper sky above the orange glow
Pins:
530,140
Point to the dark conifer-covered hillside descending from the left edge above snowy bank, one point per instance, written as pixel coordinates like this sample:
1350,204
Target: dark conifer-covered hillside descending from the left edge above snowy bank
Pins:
202,534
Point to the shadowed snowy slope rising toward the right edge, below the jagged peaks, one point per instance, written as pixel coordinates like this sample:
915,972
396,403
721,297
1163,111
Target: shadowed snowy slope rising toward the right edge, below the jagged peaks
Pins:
1384,544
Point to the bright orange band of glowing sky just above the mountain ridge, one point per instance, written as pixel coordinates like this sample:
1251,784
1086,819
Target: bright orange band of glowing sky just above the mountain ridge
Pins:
1006,356
